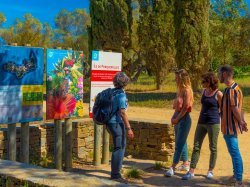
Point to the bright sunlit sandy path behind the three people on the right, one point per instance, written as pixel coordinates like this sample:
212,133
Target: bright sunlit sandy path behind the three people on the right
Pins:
224,164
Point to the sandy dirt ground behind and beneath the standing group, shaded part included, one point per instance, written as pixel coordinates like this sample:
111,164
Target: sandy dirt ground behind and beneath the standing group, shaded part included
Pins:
223,168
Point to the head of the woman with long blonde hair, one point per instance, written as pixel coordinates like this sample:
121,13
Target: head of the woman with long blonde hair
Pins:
182,79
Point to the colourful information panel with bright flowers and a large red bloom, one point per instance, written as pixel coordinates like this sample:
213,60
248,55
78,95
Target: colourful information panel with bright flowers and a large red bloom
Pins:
64,84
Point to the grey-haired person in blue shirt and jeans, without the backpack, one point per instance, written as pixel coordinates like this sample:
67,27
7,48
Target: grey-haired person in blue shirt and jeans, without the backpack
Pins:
119,126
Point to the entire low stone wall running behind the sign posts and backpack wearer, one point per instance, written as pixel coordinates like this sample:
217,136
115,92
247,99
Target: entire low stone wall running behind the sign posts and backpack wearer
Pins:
153,140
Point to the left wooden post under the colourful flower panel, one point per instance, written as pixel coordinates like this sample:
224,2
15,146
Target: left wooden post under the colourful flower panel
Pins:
58,144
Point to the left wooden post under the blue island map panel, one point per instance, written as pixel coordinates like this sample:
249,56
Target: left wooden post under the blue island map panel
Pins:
12,142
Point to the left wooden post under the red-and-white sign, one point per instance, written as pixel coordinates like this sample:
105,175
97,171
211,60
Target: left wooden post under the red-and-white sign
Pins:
97,144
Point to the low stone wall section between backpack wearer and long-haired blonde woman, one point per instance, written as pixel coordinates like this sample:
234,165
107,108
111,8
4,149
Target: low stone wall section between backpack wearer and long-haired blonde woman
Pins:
153,140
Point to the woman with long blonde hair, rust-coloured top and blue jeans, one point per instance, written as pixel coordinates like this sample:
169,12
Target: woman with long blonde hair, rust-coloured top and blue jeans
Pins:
181,118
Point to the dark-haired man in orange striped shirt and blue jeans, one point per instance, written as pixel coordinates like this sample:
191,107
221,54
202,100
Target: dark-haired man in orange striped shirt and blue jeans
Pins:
232,120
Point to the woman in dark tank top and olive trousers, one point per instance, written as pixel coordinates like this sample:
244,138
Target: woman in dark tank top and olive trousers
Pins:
208,123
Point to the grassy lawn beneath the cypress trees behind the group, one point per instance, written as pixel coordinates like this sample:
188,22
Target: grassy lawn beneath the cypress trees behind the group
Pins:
143,92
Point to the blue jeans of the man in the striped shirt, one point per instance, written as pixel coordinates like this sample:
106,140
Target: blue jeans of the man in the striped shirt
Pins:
233,149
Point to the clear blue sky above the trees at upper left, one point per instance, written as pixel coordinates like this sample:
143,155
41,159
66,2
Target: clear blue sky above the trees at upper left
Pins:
44,10
